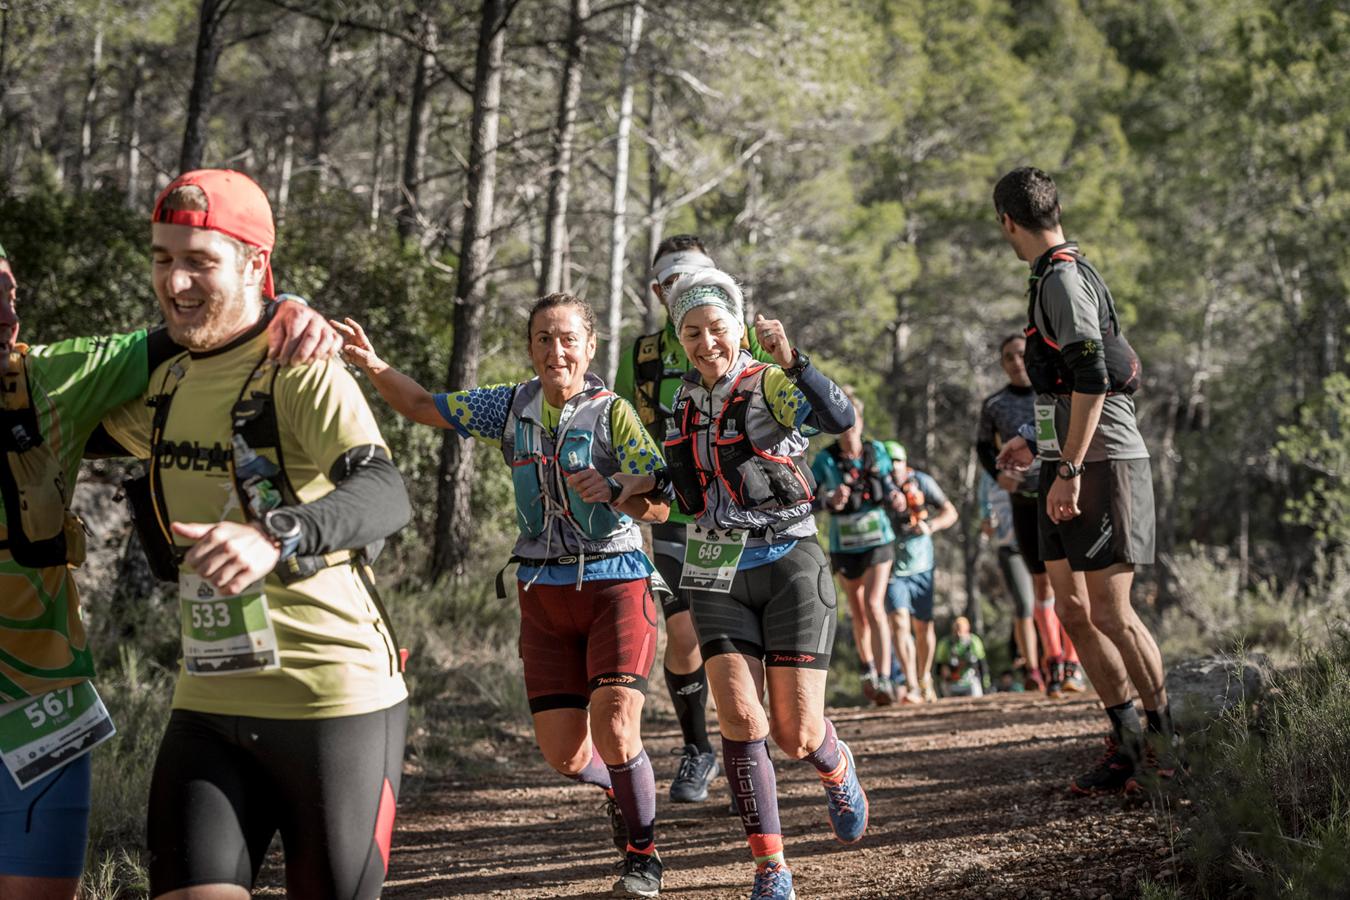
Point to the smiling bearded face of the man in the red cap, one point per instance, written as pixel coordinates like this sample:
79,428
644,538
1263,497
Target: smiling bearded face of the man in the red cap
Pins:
210,288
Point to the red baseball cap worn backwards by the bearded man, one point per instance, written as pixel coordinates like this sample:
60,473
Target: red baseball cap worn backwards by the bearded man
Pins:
236,207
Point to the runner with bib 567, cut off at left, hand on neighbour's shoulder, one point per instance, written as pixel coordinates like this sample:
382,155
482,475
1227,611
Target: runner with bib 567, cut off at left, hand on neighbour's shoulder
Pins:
52,399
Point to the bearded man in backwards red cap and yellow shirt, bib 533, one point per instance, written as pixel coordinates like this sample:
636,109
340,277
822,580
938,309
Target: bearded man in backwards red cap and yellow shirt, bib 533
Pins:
268,486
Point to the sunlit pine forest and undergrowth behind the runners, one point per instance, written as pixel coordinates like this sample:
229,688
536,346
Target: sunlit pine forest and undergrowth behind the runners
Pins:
435,167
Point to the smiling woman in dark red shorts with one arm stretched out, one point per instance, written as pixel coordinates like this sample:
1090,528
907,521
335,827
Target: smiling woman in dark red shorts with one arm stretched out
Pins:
584,469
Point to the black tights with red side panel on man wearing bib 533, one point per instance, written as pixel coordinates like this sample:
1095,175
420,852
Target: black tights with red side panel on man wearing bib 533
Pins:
225,785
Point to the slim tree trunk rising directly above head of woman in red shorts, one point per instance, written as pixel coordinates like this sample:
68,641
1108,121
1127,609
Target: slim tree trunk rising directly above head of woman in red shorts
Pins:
561,165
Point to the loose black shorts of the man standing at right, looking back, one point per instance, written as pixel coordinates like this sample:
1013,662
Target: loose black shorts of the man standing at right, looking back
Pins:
1116,522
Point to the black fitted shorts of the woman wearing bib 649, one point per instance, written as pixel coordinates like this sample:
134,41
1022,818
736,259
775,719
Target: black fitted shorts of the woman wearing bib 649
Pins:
782,613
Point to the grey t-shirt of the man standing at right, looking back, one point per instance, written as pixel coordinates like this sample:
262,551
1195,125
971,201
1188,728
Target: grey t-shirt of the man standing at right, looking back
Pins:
1071,308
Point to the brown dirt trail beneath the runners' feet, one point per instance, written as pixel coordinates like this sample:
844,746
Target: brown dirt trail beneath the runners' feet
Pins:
967,801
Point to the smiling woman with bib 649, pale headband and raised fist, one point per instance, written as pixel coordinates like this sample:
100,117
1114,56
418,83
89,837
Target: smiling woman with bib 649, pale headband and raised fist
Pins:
762,594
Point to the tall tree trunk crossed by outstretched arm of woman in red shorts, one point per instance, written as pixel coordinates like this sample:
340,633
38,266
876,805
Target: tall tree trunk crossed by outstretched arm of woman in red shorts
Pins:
457,457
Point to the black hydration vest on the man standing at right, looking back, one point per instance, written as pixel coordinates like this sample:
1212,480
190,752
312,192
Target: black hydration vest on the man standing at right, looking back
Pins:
1046,365
